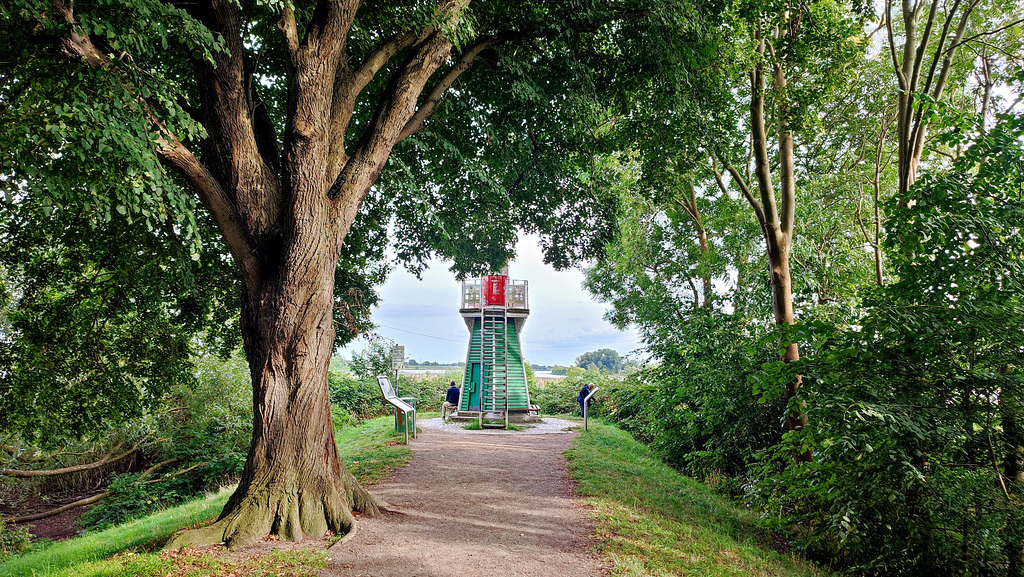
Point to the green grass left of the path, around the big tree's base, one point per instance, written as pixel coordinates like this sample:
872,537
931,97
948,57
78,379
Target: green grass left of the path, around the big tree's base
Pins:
371,451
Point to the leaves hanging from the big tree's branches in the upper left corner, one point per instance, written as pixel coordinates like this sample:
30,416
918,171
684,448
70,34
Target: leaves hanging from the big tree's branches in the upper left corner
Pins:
81,138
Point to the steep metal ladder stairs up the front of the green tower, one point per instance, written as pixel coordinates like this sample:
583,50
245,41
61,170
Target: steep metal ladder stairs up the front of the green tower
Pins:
494,358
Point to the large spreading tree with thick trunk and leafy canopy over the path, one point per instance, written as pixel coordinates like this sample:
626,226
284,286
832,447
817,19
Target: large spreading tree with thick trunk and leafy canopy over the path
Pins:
280,118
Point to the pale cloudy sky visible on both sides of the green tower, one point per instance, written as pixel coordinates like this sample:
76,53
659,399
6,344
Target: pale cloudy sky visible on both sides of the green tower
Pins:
565,322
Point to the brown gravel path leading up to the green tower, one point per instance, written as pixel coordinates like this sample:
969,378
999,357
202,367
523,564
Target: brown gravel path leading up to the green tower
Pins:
483,503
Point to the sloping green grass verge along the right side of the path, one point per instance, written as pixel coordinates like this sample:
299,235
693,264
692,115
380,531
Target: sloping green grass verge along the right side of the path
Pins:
652,521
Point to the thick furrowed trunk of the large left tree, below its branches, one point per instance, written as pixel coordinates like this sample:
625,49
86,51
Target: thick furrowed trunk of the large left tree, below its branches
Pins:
293,484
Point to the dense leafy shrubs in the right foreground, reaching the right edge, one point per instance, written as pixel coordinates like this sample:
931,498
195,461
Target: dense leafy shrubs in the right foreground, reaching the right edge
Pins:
916,413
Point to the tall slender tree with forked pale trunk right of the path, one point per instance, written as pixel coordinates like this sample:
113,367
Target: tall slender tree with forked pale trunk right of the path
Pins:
796,53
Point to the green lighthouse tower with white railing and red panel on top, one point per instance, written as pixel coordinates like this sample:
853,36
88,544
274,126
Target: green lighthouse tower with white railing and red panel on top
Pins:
494,386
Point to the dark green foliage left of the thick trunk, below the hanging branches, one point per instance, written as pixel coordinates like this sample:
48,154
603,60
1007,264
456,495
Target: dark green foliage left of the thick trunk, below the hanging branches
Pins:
104,320
